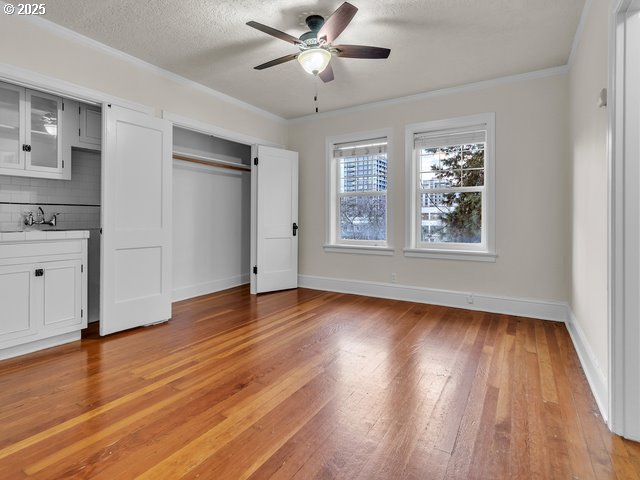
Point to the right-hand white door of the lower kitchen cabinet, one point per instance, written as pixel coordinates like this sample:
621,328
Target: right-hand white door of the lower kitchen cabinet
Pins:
62,294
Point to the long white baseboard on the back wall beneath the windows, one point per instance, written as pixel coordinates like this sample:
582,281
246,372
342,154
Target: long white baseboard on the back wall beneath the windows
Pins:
546,310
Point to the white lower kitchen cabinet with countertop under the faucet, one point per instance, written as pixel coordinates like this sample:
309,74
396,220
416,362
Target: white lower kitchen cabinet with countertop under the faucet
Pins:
43,290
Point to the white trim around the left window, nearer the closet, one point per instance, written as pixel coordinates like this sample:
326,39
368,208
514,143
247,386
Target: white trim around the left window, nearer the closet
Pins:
332,243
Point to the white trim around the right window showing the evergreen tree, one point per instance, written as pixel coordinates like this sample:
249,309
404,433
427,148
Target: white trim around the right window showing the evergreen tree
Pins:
451,251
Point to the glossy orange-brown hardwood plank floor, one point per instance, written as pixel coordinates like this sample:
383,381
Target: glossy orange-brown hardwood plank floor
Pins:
306,384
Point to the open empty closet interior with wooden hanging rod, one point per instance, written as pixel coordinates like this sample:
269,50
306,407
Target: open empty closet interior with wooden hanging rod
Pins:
211,213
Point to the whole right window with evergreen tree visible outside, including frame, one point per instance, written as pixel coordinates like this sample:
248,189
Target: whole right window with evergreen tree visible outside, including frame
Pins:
451,188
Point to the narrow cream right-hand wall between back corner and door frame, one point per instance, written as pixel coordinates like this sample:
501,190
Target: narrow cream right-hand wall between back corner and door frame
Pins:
588,296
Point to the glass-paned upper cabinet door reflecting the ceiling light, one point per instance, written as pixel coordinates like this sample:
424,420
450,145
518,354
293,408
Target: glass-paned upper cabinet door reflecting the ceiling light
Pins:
44,115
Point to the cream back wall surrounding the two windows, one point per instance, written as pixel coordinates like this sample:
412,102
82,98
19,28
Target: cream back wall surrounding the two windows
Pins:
532,195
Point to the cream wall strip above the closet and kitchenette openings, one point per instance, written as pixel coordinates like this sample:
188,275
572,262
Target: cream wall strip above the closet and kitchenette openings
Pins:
32,45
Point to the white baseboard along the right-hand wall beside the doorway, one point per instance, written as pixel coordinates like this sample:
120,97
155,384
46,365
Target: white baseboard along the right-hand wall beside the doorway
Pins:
596,378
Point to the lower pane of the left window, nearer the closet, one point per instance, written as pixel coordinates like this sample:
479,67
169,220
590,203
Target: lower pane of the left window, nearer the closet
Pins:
363,217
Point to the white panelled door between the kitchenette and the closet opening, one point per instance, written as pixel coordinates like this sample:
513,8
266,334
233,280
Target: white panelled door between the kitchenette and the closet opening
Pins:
136,220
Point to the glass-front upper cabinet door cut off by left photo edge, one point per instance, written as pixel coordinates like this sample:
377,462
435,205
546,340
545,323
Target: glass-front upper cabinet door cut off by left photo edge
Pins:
11,131
